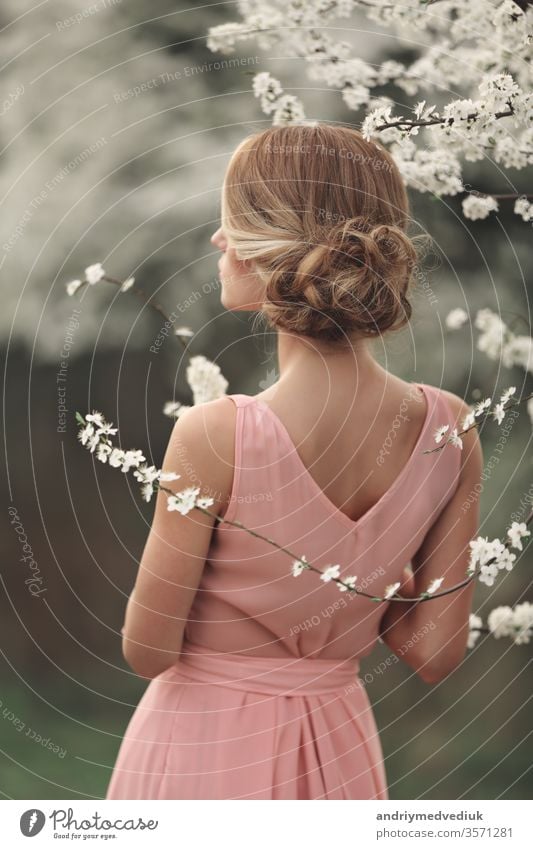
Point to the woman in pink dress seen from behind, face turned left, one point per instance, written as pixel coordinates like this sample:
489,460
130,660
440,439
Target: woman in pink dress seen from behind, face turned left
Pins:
254,692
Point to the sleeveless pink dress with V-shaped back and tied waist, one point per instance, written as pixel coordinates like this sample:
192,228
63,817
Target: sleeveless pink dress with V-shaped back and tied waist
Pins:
265,701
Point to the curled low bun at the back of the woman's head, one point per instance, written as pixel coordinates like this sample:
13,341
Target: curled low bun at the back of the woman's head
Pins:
355,279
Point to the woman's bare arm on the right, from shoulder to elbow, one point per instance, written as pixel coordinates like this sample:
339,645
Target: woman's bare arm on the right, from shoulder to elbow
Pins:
445,553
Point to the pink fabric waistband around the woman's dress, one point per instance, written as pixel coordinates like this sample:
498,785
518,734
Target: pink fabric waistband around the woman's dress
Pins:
277,676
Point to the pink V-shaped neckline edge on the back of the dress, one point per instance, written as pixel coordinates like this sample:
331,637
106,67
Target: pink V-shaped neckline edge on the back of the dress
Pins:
336,512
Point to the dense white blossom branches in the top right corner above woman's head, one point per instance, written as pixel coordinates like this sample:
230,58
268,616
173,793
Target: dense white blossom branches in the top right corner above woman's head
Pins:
453,56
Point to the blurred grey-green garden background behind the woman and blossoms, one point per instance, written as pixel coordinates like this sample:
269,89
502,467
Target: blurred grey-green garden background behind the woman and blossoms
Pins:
143,199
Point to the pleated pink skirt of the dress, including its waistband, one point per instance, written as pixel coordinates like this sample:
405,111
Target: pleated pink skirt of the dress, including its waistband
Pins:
232,726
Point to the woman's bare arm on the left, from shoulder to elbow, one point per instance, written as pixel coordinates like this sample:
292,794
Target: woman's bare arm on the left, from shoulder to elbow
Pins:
201,451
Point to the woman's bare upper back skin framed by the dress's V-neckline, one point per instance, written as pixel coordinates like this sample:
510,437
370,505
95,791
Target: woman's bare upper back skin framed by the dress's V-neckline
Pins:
354,447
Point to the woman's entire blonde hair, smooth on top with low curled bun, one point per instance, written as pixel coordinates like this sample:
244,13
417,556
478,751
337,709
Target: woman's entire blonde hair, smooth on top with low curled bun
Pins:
323,215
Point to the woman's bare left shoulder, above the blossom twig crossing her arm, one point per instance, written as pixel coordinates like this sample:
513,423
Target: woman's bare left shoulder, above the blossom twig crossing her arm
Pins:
203,443
